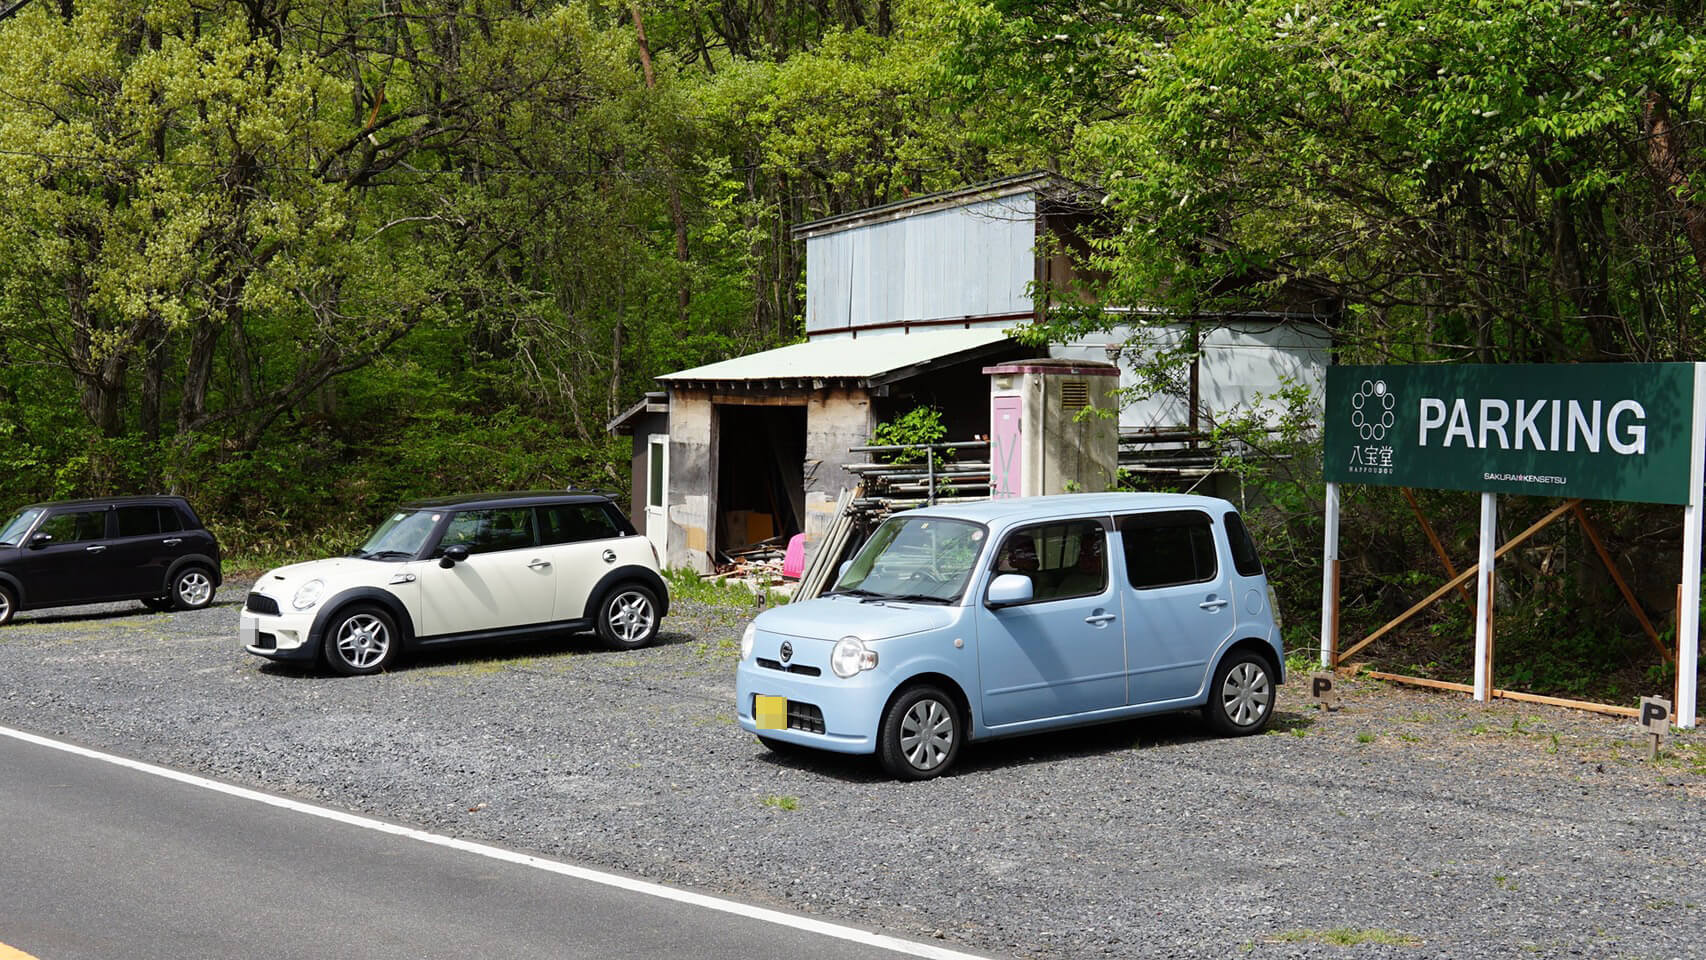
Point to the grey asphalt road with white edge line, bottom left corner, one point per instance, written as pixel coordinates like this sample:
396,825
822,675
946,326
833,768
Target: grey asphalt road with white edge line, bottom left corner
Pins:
108,862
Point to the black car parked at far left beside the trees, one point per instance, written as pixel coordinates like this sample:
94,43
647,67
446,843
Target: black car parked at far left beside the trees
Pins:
96,552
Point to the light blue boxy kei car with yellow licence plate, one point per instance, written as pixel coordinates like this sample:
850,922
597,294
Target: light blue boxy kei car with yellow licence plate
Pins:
1014,616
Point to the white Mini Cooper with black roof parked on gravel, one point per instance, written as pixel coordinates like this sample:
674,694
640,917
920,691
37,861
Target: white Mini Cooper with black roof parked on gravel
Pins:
467,569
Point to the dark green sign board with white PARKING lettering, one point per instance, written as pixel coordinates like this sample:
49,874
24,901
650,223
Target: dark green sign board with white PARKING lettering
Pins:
1593,431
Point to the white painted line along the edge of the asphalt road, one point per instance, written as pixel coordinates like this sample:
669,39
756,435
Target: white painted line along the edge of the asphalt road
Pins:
893,944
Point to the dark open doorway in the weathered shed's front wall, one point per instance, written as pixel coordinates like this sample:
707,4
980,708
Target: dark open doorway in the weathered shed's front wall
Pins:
760,475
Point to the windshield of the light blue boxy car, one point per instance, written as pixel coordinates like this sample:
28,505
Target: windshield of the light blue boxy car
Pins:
915,558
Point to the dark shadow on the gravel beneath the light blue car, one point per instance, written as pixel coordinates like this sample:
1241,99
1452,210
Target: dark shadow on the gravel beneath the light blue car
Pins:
1144,734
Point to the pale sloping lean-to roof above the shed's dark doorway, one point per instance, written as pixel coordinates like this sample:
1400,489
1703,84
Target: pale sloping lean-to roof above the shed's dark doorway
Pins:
868,361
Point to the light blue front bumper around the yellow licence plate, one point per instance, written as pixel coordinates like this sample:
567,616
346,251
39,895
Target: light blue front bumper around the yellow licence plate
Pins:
825,712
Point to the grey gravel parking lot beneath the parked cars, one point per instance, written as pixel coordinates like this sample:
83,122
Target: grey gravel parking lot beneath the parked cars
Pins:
1410,824
